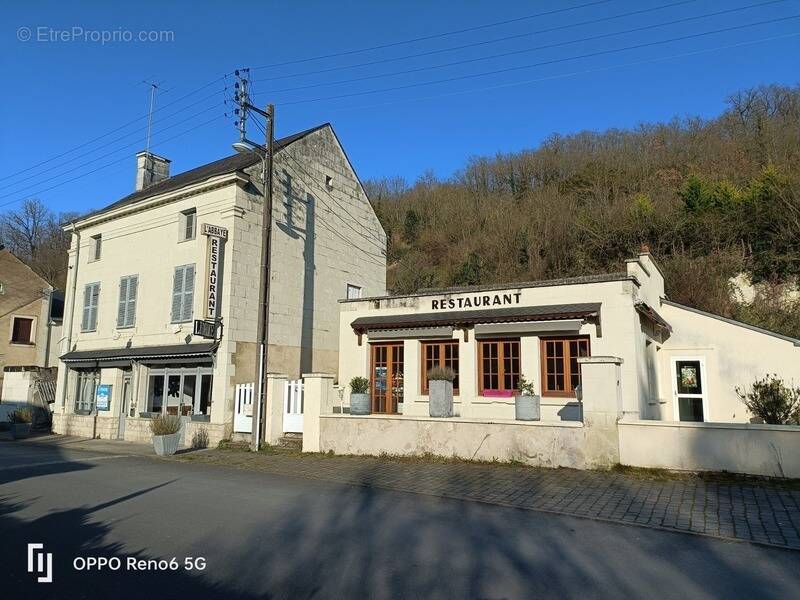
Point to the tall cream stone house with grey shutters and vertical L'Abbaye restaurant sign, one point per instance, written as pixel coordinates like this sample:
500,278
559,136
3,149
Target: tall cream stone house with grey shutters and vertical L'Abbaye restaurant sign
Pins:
188,247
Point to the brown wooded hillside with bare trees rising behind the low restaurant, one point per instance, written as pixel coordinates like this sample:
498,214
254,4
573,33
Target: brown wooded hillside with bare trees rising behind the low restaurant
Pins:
711,199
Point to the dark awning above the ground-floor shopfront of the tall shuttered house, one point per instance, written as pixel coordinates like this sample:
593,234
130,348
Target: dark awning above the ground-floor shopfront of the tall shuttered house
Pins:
115,357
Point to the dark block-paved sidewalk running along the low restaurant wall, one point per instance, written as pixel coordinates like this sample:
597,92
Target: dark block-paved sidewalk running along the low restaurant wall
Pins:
748,509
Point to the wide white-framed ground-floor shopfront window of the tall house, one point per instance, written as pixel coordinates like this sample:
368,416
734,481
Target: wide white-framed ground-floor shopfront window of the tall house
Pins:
180,391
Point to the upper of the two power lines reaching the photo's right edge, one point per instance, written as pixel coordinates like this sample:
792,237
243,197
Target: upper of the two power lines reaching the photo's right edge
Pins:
539,64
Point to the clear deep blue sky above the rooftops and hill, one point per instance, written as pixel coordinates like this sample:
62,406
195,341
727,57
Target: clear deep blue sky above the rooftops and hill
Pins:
62,93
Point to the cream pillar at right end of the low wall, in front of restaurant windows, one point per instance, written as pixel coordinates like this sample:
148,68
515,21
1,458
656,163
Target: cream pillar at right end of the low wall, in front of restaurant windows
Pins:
601,400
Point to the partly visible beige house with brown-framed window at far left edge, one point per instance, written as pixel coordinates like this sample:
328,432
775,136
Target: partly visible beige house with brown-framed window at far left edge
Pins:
30,327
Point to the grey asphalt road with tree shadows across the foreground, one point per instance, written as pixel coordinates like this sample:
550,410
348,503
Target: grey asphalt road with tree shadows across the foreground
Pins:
261,535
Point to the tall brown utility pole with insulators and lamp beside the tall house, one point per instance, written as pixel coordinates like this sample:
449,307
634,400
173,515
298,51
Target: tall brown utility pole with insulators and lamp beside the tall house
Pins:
266,151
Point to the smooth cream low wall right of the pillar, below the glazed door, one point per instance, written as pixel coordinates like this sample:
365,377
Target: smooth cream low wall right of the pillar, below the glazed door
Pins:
769,450
